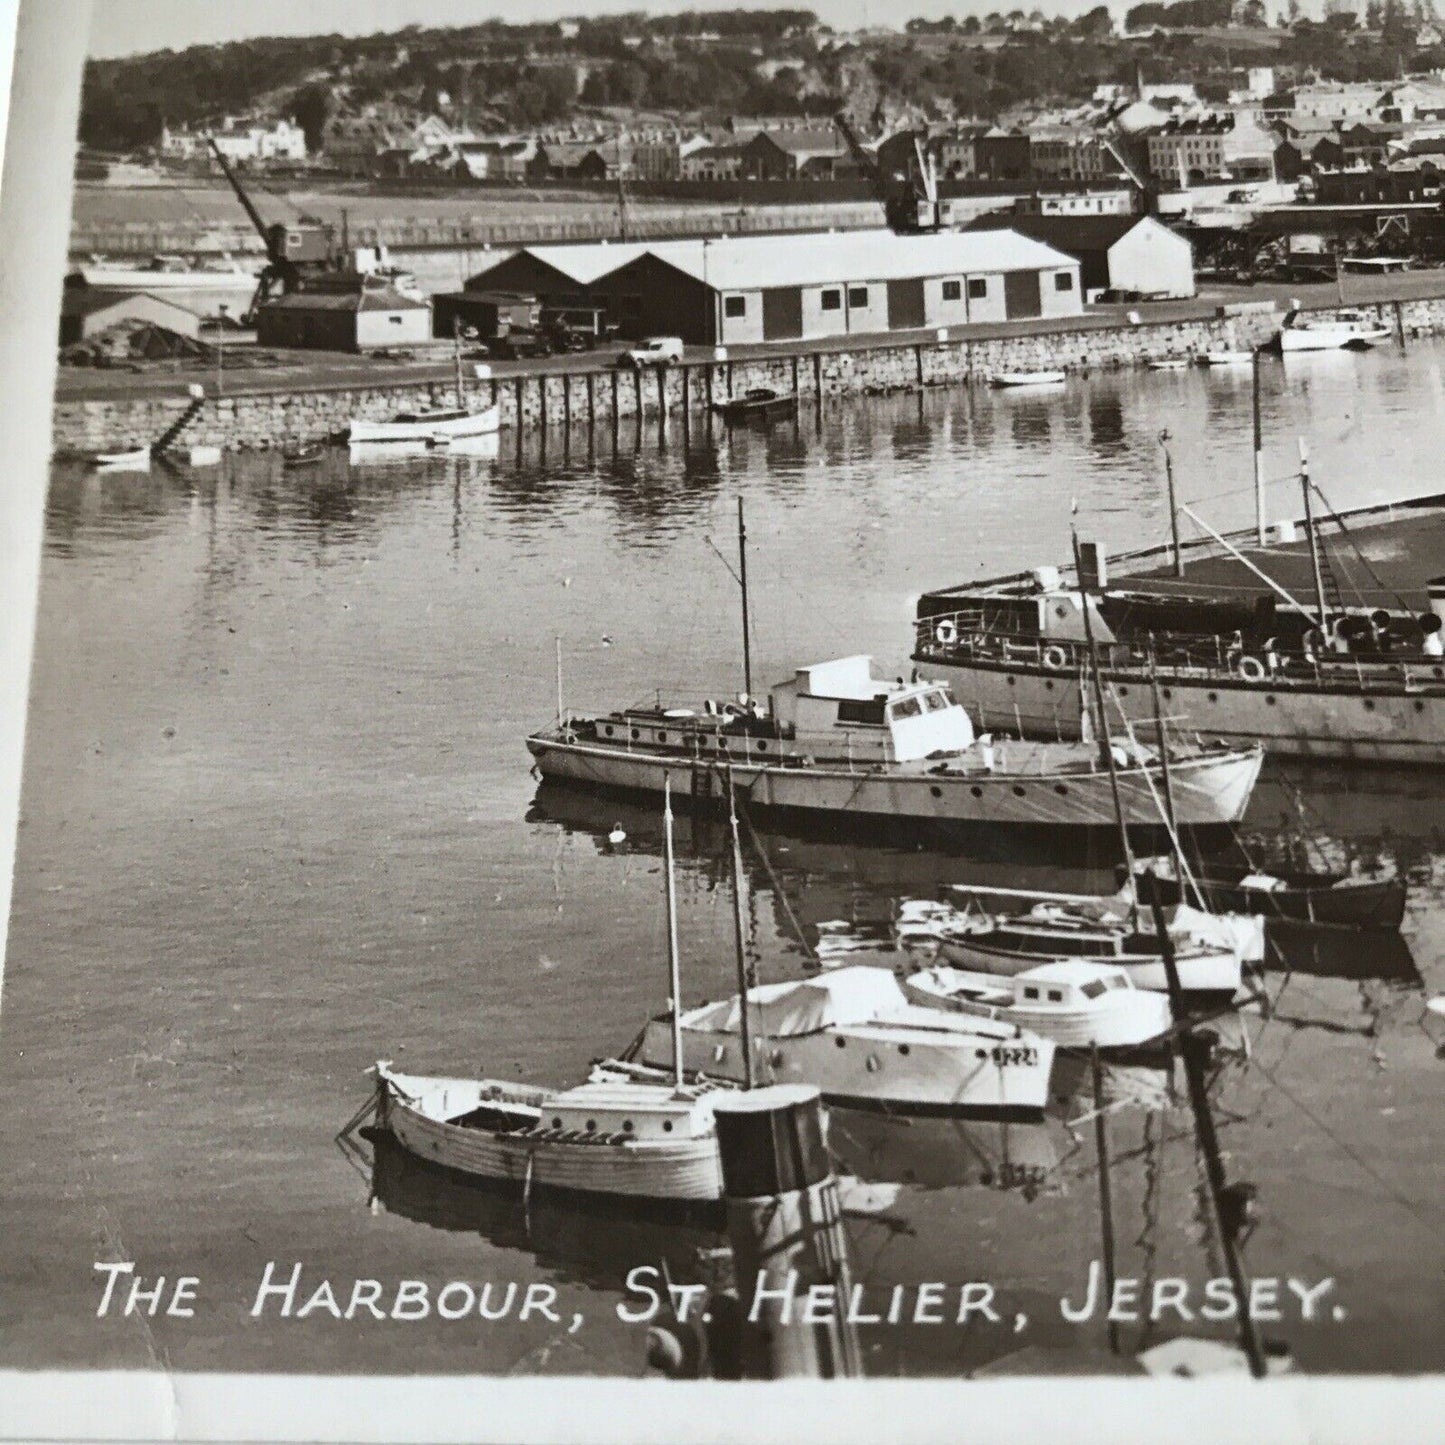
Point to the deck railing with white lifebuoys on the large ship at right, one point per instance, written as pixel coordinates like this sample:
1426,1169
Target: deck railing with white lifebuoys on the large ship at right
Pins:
1206,660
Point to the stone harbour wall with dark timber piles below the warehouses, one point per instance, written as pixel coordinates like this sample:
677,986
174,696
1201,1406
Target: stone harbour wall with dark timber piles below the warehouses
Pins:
265,420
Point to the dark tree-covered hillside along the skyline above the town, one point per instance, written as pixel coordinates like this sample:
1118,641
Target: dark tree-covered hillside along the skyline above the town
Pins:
713,64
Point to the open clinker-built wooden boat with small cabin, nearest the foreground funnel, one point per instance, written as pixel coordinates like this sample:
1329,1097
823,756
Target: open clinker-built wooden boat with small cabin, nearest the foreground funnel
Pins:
642,1141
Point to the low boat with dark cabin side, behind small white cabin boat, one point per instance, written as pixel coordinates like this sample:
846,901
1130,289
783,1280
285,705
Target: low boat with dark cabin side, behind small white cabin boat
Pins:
1008,946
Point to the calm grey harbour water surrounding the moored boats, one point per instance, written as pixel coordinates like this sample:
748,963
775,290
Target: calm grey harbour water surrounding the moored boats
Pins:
278,823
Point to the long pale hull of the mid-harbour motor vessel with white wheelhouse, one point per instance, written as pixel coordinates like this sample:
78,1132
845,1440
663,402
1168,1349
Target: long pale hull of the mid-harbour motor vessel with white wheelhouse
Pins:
1212,791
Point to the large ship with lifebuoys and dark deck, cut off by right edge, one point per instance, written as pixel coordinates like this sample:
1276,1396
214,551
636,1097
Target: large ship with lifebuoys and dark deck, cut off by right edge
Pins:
1317,648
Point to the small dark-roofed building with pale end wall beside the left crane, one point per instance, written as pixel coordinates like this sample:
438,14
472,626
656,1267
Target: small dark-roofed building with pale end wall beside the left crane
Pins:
348,314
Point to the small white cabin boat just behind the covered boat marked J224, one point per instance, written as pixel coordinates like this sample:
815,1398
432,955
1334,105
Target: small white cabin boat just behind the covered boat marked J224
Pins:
1071,1002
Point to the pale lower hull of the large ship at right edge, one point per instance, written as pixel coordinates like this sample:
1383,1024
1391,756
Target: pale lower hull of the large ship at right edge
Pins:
1288,720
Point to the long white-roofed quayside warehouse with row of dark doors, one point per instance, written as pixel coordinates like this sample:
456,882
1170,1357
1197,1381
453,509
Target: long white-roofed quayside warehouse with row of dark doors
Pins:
788,288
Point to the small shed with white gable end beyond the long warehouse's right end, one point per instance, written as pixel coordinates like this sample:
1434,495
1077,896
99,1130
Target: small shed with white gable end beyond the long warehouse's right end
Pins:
1121,254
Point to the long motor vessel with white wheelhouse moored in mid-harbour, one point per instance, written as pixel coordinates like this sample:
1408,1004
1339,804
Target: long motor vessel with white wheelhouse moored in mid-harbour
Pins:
837,742
